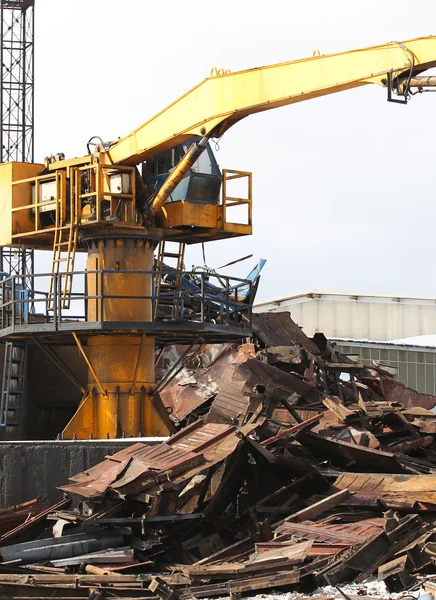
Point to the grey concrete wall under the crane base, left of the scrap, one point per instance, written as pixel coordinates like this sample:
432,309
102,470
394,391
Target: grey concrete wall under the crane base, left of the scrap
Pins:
35,468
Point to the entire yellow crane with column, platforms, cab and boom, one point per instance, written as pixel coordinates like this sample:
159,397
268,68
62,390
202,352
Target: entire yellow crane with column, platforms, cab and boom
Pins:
159,183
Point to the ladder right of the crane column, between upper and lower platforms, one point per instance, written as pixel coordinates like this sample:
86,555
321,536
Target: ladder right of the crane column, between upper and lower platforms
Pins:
168,292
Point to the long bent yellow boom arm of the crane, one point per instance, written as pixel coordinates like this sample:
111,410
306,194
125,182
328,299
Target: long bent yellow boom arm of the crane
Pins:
218,102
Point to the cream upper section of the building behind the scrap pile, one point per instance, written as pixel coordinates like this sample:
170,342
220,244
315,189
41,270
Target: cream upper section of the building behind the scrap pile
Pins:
380,318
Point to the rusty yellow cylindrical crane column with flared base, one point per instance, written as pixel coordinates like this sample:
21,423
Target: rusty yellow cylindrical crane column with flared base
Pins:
121,376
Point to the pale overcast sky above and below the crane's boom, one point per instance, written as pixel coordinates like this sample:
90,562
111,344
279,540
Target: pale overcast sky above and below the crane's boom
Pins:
344,191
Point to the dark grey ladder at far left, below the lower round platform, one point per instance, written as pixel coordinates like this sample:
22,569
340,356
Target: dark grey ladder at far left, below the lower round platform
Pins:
14,370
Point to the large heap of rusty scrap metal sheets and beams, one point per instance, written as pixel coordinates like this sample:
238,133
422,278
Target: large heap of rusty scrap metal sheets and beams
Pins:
292,466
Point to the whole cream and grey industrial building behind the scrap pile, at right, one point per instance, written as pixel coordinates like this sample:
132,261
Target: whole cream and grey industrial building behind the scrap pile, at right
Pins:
396,330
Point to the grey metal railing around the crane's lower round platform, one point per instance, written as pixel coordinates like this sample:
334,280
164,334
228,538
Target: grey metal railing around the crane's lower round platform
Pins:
98,297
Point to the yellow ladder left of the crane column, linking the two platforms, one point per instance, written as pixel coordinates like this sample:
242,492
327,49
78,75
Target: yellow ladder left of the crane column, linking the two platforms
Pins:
65,240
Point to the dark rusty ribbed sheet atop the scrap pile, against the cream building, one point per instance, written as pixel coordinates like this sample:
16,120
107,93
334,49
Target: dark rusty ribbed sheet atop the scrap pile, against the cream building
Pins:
278,329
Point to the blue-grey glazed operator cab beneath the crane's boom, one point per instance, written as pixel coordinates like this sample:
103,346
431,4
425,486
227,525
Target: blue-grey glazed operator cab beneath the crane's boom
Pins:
201,184
